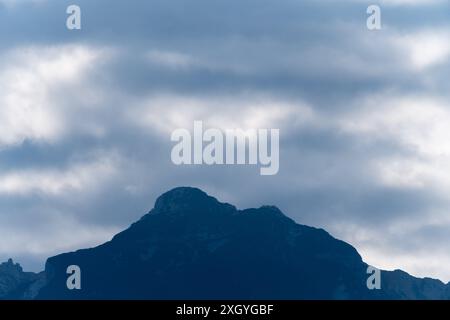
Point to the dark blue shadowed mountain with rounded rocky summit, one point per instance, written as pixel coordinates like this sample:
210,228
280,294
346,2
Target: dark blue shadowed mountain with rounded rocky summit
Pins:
191,246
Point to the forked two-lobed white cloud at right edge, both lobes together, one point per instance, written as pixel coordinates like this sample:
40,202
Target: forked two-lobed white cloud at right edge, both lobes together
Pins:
421,125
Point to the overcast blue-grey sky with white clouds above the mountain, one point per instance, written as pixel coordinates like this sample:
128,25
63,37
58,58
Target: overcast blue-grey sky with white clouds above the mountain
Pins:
364,118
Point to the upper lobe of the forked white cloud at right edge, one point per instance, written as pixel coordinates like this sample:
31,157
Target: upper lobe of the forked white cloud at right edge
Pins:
420,122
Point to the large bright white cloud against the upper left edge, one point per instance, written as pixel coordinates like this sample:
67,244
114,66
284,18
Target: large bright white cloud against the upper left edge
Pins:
32,81
